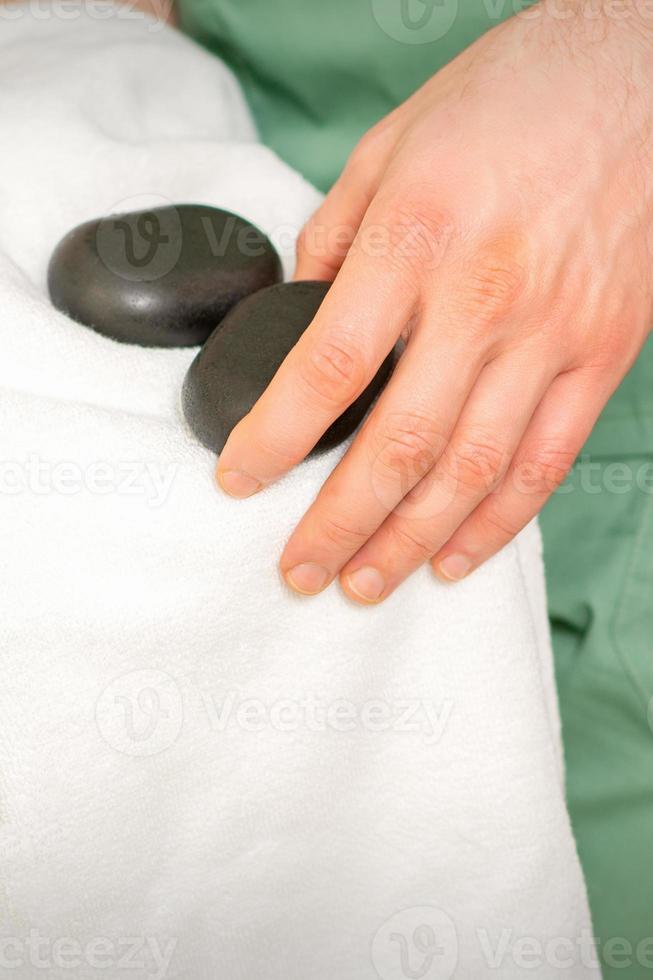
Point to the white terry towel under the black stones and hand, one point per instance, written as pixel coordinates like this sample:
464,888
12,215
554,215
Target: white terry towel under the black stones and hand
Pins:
203,776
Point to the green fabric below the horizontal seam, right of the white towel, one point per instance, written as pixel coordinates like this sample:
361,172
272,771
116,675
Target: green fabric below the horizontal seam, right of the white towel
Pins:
599,559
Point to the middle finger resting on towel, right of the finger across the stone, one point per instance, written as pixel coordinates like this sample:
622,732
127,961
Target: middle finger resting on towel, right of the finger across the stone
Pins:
400,441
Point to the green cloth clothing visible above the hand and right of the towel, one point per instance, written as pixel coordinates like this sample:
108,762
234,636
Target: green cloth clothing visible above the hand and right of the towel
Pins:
318,74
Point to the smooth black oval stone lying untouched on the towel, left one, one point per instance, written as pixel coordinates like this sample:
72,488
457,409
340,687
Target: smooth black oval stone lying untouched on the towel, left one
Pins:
160,278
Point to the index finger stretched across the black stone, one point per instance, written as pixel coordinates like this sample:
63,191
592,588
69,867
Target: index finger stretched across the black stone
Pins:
355,329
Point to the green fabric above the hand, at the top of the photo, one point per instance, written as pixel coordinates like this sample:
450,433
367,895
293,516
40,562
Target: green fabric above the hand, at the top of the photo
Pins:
319,73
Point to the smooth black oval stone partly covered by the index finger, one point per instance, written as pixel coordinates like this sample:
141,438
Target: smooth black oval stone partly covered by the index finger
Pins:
239,360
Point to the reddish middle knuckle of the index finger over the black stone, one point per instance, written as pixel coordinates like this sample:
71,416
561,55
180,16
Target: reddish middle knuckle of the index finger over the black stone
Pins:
334,371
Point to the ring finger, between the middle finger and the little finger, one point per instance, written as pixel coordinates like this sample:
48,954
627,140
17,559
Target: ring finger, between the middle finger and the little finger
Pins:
485,439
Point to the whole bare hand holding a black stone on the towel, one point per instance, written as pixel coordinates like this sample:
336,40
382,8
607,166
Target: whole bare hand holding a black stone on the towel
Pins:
501,222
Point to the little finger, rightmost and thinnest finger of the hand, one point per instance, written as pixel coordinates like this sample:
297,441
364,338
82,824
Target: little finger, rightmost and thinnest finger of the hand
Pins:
547,452
